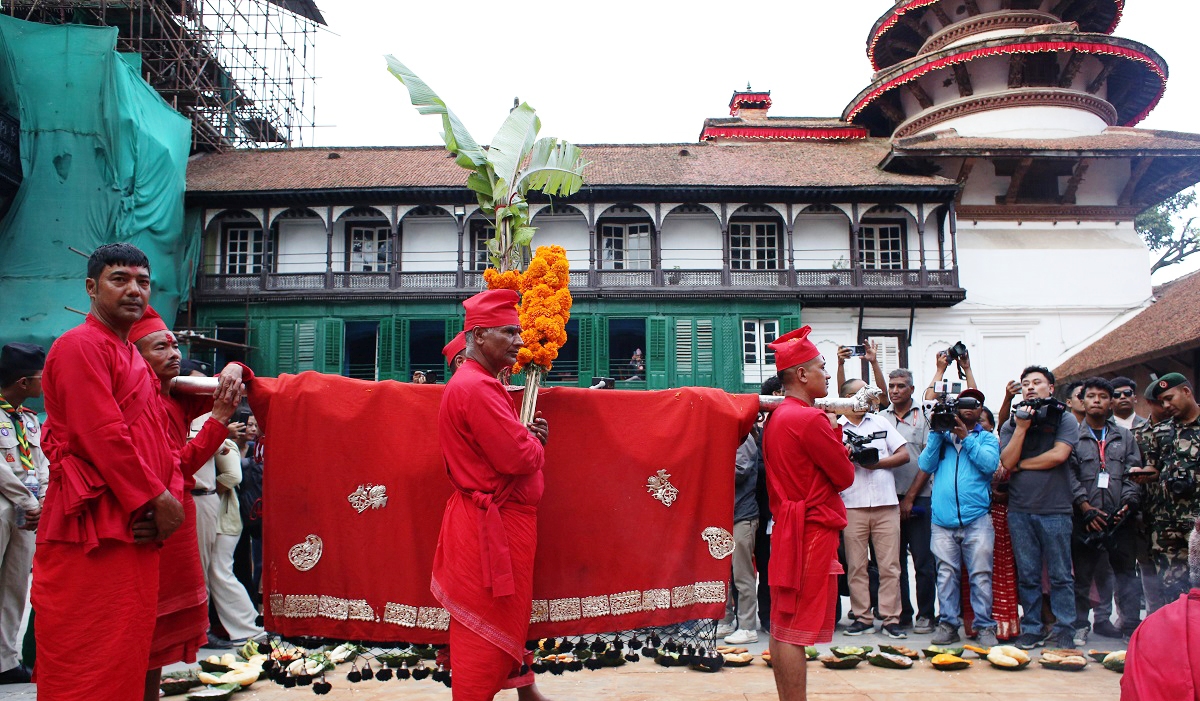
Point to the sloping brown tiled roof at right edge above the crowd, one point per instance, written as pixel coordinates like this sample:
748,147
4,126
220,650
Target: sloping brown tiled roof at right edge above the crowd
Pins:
1169,326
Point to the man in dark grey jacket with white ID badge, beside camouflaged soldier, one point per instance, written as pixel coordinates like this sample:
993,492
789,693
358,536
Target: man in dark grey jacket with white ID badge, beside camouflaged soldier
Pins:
1106,500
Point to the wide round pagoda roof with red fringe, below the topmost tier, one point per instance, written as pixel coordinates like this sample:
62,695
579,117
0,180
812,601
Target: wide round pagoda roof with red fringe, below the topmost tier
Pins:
1142,69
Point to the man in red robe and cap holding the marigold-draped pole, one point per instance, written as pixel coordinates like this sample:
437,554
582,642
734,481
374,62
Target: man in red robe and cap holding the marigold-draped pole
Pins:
483,570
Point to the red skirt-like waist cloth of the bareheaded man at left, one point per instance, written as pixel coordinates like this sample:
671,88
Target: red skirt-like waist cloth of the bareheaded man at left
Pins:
99,604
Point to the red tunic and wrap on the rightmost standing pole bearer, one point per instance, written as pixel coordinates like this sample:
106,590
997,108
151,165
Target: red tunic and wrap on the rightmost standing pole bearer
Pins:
807,466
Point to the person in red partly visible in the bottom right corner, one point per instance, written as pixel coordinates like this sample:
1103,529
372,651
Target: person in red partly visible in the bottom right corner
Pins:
1163,660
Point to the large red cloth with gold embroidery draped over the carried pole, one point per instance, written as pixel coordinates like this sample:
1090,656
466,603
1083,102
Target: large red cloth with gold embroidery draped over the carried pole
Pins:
602,534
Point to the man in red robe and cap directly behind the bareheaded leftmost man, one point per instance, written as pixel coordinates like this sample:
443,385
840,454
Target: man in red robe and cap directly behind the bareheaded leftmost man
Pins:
183,622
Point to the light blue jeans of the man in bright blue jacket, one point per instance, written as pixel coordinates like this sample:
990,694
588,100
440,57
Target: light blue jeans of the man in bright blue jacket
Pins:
970,547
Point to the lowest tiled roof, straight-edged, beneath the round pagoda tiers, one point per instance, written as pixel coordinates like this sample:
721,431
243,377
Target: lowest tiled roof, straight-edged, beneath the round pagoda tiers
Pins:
1114,139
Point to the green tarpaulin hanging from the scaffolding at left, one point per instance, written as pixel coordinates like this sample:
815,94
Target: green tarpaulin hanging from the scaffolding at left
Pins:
104,160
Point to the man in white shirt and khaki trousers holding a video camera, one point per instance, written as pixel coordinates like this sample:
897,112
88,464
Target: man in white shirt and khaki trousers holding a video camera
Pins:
873,517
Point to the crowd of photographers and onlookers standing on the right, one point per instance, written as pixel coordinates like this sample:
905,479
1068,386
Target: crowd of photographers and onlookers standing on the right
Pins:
1025,525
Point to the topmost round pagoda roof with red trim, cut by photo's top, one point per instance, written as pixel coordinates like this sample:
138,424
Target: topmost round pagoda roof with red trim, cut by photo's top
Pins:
892,38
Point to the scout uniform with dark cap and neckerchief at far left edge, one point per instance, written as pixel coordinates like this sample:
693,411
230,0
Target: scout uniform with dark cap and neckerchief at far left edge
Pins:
21,447
